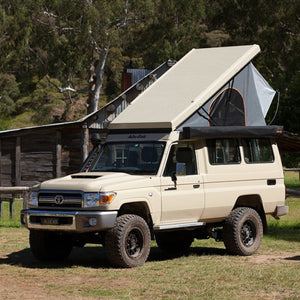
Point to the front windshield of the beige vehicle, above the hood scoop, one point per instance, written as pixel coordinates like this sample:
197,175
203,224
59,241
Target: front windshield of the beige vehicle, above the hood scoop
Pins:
129,157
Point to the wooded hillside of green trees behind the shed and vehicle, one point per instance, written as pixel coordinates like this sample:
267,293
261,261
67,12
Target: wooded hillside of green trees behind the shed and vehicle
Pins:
61,58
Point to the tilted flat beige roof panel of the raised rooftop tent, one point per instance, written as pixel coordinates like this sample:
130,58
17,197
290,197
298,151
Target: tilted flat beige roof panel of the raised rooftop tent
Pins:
185,87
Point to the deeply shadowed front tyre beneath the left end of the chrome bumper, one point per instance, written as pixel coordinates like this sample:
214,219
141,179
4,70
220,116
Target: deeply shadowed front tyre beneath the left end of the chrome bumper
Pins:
49,246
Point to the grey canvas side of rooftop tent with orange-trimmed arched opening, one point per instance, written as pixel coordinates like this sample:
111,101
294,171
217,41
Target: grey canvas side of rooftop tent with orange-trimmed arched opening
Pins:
243,101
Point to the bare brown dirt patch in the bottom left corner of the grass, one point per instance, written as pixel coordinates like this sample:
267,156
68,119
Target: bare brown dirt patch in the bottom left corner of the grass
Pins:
23,283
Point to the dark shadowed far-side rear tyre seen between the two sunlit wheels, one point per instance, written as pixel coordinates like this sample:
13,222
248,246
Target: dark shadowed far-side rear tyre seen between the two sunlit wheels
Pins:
174,242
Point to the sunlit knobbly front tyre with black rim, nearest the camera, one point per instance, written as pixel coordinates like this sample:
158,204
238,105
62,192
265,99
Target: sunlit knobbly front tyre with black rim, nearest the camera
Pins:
128,243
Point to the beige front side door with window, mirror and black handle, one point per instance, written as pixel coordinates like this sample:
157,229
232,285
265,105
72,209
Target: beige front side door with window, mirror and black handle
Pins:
183,198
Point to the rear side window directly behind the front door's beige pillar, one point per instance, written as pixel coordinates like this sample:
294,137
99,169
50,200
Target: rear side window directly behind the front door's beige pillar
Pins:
223,151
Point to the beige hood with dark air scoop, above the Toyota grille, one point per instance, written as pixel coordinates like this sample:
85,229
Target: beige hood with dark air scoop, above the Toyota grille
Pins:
95,182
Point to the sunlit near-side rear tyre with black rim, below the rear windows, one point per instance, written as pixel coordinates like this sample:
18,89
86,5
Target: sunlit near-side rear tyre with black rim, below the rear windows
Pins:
243,231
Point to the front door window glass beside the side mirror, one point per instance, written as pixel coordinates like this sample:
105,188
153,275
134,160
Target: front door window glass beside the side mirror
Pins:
181,160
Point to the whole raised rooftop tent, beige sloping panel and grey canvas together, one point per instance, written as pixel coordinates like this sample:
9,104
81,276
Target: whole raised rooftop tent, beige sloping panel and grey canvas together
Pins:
207,87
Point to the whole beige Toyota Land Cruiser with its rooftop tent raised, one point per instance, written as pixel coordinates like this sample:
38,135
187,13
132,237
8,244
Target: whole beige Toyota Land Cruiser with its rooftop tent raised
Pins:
190,157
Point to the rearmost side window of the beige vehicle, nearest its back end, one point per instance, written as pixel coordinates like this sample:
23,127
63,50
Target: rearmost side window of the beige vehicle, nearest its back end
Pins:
257,150
